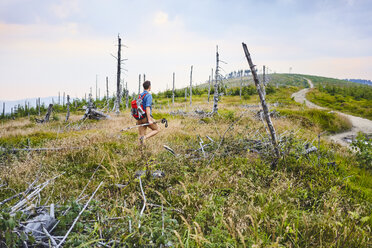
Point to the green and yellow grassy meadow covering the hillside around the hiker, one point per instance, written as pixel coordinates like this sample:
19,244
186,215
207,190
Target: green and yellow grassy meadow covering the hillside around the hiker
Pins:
227,195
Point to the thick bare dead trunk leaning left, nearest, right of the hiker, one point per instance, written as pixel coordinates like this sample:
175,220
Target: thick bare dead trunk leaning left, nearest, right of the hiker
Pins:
263,102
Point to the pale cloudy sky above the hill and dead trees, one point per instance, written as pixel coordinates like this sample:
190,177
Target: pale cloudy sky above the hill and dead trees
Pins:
51,46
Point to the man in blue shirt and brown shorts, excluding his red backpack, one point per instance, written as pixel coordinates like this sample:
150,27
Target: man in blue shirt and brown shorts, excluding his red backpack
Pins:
147,105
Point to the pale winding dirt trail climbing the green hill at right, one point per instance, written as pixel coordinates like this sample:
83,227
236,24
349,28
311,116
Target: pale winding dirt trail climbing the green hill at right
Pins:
359,124
